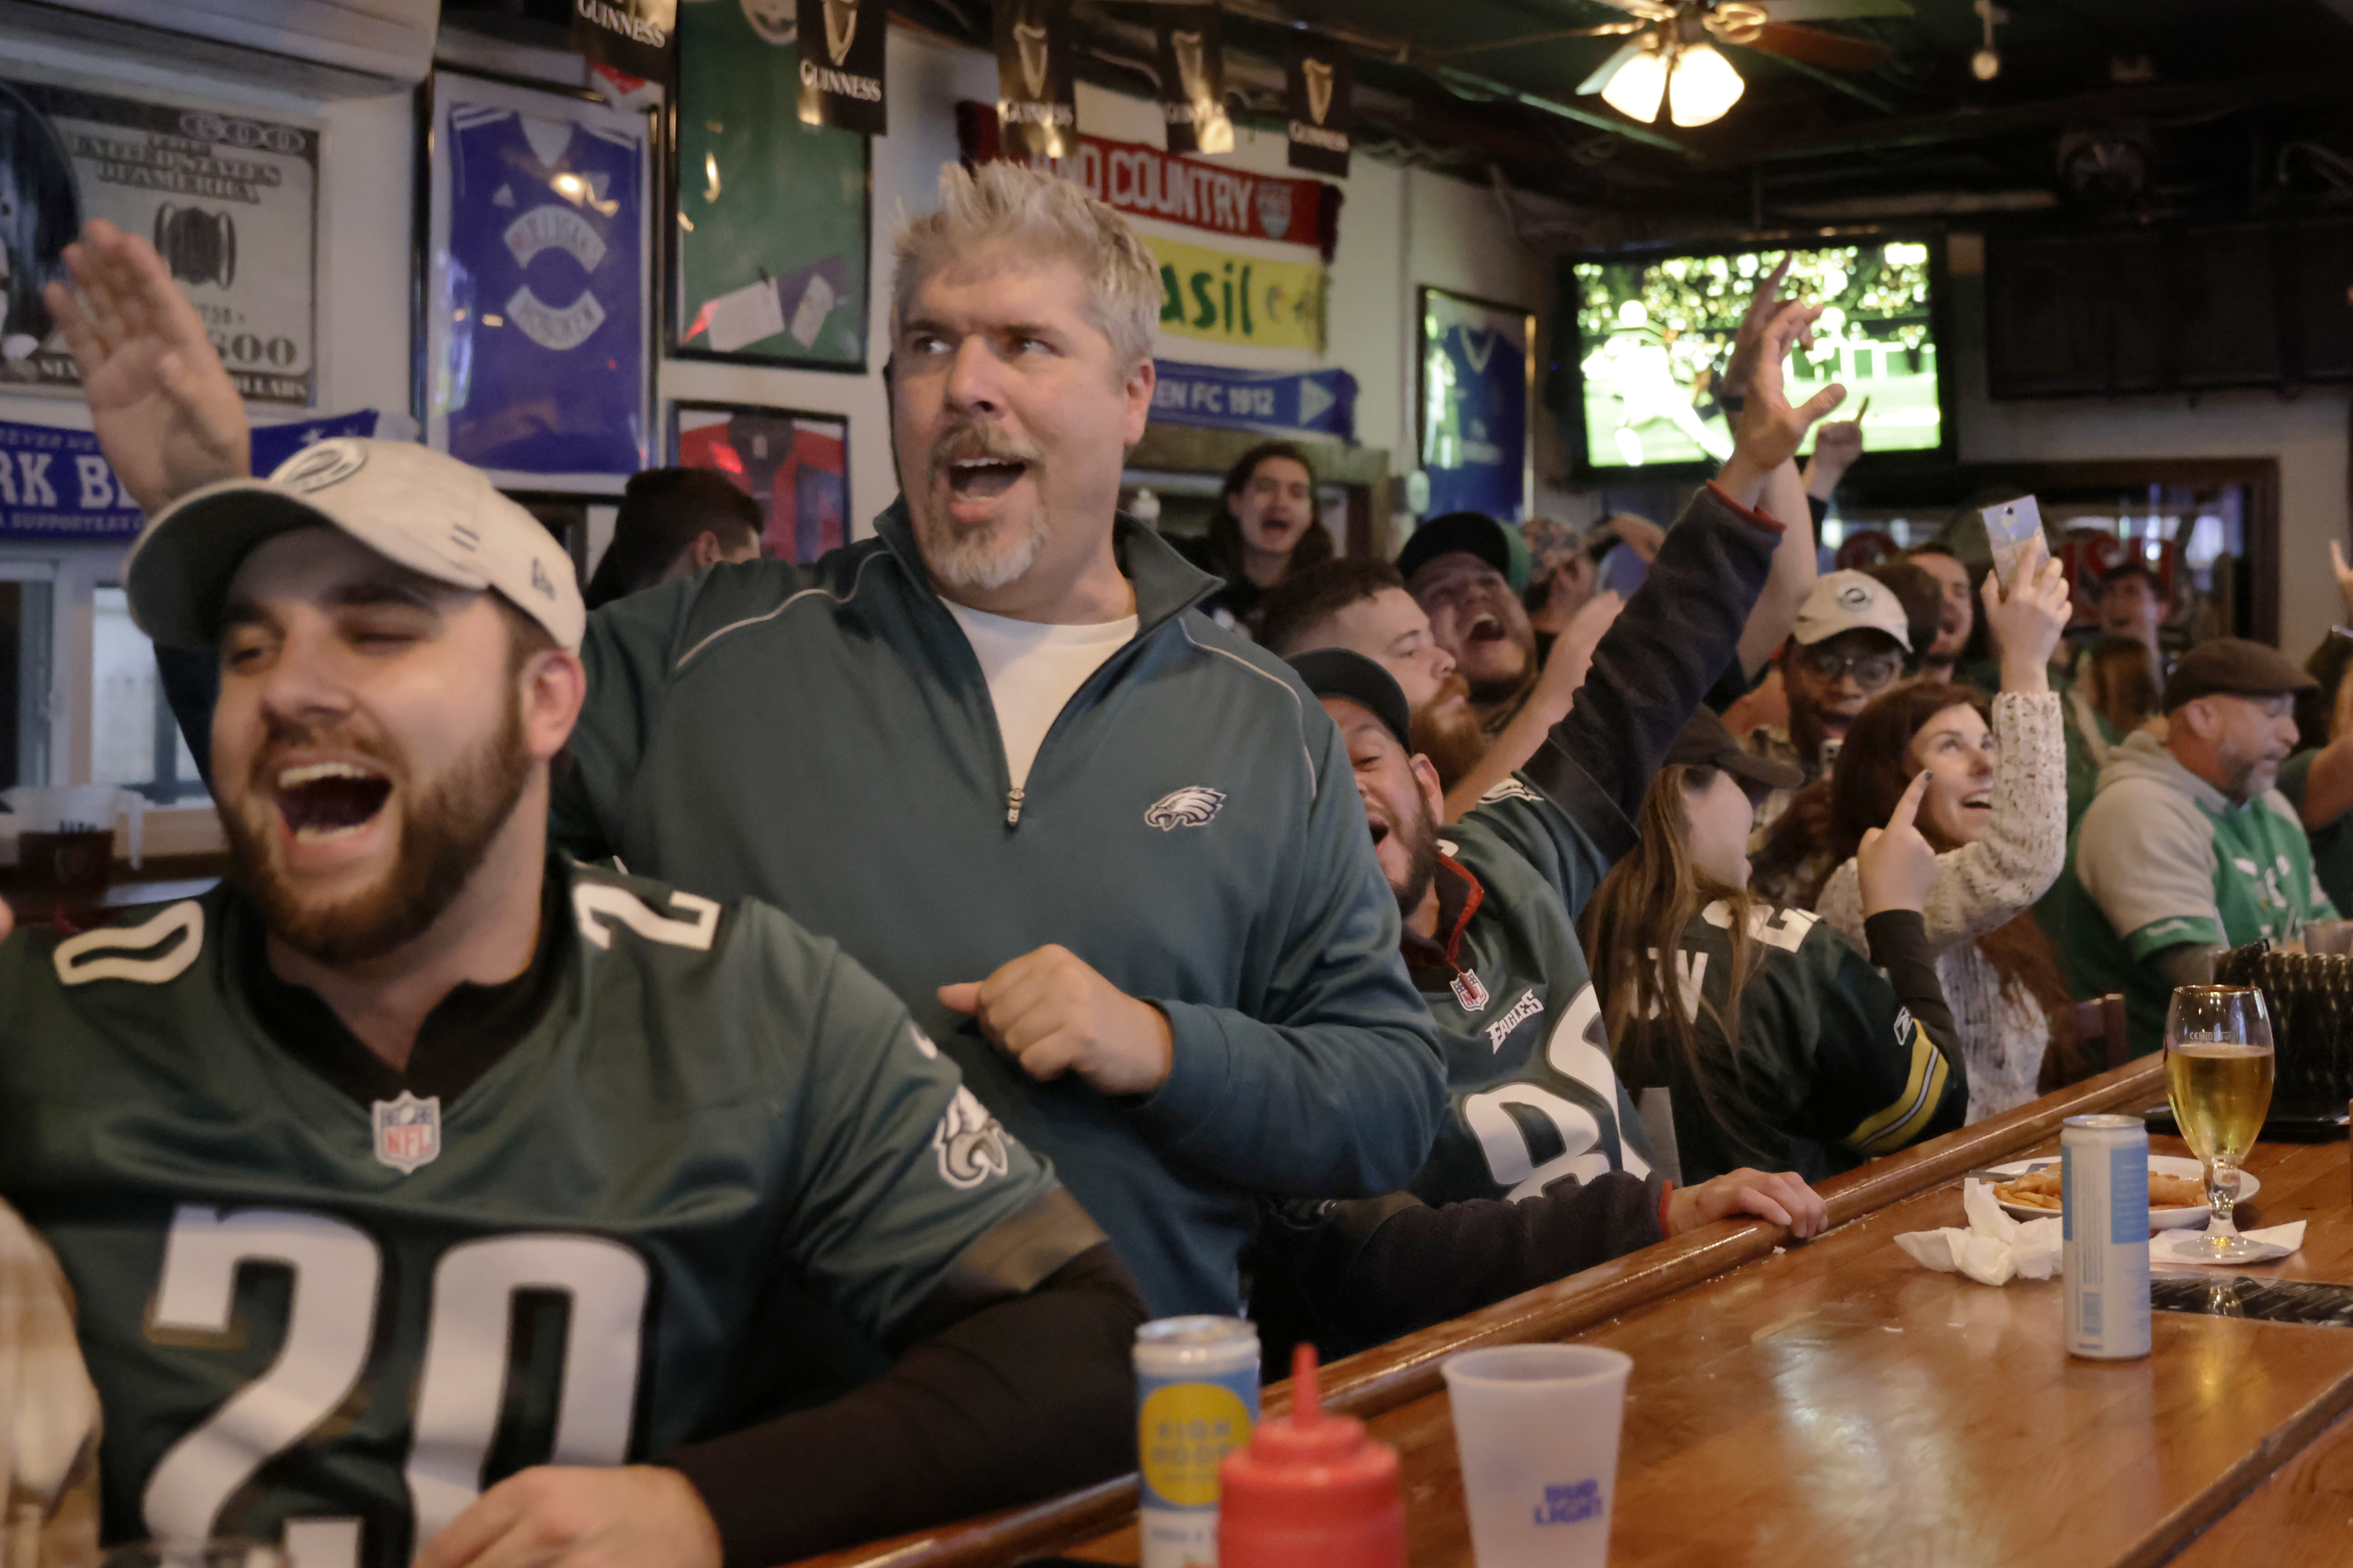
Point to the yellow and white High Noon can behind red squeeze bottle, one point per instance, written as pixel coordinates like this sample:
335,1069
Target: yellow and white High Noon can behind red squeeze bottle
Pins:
1197,1402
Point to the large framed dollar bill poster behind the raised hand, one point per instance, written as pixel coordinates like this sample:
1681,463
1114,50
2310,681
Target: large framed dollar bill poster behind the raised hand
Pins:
227,196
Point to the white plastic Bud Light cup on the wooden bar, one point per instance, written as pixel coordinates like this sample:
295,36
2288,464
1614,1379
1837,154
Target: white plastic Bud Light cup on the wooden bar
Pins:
1538,1435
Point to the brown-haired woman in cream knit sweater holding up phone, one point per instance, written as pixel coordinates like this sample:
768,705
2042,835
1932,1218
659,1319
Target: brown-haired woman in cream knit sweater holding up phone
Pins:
1997,815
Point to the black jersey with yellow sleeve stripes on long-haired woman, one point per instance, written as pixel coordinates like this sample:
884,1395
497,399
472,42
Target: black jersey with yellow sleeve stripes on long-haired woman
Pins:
1827,1054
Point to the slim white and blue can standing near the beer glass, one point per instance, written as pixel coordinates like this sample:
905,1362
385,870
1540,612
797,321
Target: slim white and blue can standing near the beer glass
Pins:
2105,1235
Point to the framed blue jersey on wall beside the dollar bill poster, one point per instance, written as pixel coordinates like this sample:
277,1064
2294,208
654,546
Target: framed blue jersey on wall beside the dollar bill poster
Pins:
535,356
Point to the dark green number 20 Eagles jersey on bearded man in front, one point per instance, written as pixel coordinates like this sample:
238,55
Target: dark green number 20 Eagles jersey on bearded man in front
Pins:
328,1327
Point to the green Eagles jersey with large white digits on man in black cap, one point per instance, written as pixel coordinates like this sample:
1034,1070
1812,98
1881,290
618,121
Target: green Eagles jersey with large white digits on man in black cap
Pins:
1531,1092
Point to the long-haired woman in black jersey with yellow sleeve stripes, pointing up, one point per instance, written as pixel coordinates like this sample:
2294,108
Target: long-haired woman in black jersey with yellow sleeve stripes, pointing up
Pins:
1778,1043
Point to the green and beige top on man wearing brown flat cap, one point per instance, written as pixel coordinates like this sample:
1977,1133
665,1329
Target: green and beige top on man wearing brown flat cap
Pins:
2164,859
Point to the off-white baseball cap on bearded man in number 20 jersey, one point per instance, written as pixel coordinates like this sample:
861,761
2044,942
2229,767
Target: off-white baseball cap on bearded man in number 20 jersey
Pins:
404,502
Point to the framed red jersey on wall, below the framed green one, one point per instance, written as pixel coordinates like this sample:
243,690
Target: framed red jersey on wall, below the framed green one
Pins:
794,464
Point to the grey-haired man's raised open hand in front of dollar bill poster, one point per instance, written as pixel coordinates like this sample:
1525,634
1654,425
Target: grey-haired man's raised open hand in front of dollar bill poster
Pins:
166,410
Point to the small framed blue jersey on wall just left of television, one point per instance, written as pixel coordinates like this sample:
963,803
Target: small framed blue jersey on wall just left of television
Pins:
1474,389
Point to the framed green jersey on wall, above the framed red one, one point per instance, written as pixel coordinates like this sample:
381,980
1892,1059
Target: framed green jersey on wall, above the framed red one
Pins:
771,250
